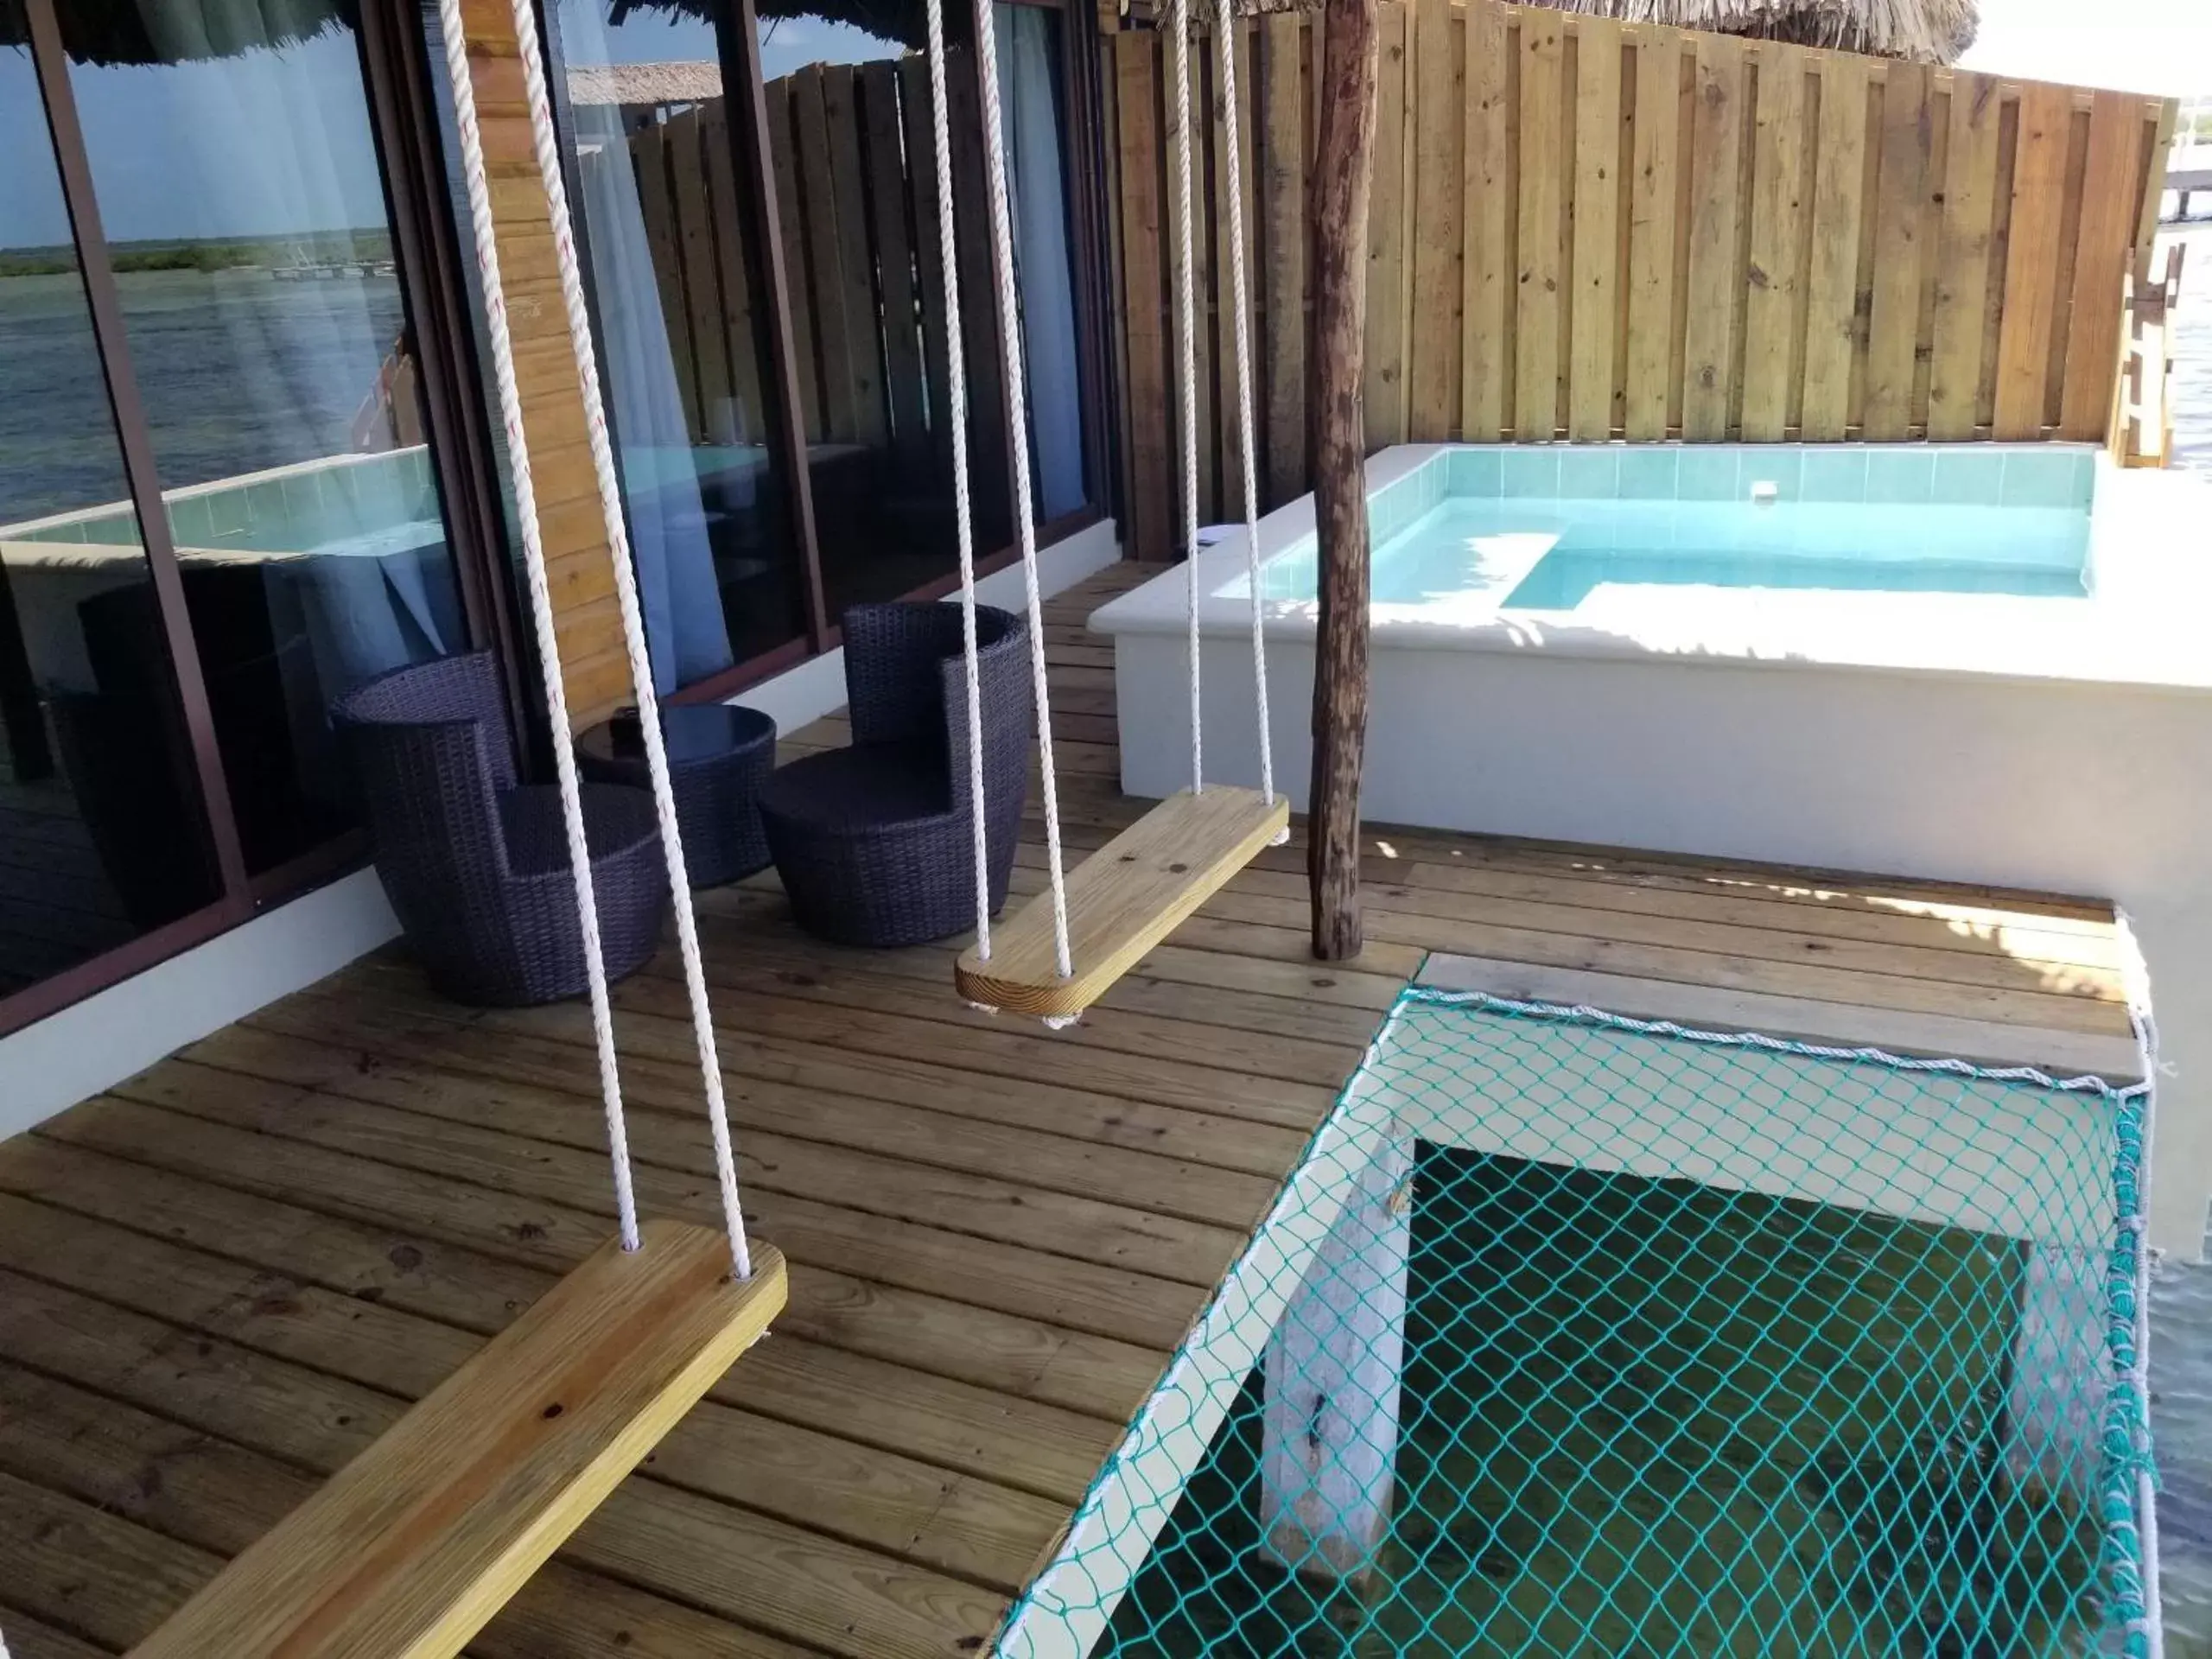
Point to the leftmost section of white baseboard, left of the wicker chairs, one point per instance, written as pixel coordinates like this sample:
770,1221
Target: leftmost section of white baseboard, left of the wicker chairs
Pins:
116,1034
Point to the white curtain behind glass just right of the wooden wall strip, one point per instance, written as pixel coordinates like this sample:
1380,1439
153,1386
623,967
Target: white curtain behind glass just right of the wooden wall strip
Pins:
669,543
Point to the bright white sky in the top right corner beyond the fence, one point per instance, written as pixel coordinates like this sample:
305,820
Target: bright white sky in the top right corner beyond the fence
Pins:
2133,45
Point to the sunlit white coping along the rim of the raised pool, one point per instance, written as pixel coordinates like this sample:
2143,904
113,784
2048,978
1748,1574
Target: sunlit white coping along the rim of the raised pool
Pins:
2147,620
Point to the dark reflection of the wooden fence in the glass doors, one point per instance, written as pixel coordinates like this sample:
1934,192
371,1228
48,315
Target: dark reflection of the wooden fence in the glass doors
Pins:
857,205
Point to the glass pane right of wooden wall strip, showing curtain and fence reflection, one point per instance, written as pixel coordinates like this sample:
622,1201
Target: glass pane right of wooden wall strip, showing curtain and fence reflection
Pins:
674,284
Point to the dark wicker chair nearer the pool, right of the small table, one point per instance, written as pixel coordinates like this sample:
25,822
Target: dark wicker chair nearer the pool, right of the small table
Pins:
873,842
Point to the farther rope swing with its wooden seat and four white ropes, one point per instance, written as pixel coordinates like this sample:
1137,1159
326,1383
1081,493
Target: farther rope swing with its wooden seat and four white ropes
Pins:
1136,890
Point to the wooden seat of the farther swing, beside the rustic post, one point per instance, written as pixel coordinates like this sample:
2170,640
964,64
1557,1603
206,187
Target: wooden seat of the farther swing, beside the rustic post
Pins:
1123,901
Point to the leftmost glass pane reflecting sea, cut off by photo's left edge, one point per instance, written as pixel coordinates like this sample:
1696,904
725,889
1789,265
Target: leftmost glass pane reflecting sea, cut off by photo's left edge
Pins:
101,824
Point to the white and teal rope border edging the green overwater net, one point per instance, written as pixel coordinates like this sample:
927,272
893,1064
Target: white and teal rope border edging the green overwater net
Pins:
2129,1470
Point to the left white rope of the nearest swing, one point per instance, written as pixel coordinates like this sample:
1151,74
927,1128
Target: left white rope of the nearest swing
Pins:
534,563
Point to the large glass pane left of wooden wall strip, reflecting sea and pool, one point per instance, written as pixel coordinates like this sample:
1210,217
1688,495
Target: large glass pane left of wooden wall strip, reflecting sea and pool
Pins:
240,191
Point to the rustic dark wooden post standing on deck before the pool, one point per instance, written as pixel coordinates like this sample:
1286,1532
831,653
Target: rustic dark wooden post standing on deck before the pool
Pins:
1342,180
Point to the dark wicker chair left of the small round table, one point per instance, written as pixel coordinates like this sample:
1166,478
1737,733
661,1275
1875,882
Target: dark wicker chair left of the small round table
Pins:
477,864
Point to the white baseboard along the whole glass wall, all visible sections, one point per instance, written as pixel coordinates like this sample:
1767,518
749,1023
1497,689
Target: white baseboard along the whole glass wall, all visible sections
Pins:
116,1034
